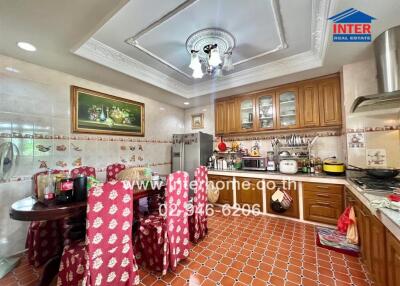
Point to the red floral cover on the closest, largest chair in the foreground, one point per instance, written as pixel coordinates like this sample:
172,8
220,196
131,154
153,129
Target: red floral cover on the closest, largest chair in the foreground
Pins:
106,258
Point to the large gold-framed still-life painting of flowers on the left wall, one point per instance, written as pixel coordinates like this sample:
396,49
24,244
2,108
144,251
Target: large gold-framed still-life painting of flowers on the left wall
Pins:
100,113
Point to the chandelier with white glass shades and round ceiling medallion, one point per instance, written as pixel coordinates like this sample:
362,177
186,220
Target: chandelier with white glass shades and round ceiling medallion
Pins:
212,49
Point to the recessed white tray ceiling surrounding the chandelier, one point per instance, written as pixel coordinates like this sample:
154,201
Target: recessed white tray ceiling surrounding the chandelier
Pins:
266,32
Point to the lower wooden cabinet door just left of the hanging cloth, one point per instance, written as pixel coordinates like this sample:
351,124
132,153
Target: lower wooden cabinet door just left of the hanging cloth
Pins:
250,194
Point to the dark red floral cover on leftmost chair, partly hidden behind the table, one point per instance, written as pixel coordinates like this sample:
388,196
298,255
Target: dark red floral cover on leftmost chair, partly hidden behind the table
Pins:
44,239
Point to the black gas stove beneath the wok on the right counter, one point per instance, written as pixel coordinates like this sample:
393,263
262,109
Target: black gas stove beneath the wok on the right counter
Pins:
372,185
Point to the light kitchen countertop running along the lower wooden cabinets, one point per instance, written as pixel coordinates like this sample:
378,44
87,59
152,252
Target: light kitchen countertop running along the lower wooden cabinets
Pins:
390,218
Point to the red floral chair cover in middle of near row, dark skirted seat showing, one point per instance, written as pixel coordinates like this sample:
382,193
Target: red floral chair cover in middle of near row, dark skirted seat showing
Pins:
164,238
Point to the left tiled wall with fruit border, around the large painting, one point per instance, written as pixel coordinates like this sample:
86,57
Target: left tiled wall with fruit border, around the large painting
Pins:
35,115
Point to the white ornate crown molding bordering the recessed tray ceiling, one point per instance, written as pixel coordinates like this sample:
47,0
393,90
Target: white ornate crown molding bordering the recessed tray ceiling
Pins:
105,55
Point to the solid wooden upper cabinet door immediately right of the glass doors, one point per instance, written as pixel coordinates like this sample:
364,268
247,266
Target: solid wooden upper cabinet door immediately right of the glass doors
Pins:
309,105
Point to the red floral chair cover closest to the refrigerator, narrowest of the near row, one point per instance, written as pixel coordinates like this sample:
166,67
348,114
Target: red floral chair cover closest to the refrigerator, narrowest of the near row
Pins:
198,219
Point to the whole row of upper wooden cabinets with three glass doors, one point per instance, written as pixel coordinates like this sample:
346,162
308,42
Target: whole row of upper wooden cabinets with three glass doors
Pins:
312,103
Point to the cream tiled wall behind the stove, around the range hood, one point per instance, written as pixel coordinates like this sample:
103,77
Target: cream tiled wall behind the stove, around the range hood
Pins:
373,131
